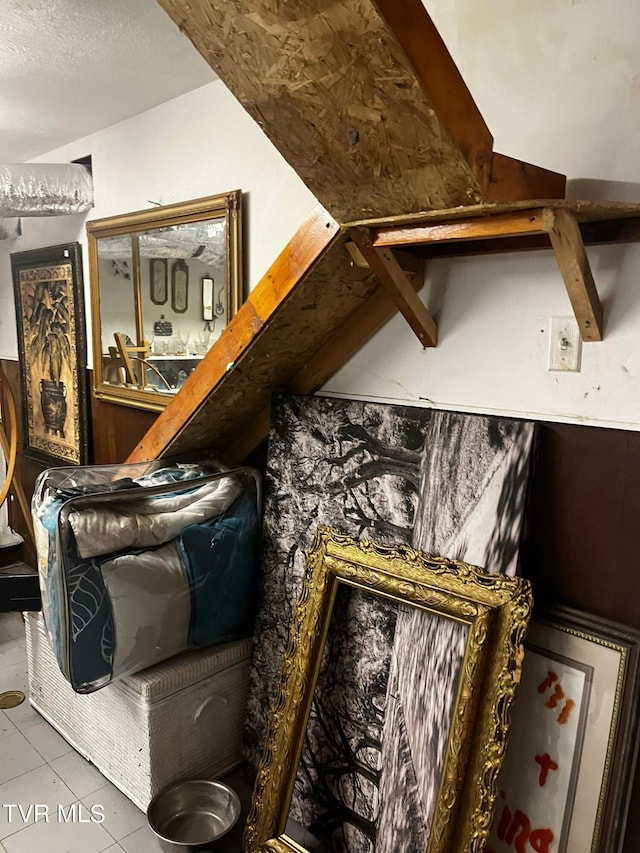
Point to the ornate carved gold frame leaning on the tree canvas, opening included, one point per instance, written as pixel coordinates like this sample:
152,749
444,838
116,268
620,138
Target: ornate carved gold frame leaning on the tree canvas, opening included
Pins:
485,617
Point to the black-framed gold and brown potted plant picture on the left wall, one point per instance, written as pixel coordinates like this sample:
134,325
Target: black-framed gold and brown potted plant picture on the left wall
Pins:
49,303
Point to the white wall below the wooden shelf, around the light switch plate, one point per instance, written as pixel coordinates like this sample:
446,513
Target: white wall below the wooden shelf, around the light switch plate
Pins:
493,315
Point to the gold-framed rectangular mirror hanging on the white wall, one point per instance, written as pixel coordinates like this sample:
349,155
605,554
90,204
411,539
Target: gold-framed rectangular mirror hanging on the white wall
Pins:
164,284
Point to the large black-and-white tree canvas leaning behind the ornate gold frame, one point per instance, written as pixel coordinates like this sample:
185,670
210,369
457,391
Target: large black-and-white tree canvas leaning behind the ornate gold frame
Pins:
447,483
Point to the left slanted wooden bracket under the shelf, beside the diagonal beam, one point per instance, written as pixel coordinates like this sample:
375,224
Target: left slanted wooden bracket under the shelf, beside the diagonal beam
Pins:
387,269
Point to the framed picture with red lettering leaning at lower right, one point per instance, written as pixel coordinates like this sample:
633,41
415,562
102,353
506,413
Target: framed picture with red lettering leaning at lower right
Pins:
565,783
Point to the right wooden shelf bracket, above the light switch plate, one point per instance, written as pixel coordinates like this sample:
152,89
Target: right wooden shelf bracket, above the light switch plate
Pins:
566,239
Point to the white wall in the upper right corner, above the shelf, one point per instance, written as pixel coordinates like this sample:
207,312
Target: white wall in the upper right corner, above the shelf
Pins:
557,81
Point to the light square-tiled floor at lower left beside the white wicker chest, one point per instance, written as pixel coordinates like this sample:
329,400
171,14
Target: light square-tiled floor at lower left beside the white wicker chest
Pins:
39,768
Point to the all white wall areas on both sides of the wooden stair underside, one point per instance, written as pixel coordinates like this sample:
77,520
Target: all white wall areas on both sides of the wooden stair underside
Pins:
558,82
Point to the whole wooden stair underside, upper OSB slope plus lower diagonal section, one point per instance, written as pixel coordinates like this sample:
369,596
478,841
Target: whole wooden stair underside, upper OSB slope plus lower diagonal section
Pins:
364,101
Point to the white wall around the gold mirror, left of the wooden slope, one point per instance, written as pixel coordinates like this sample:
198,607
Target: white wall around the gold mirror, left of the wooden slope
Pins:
199,144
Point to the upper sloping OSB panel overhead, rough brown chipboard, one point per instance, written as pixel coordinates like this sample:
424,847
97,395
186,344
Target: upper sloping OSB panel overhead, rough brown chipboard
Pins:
331,86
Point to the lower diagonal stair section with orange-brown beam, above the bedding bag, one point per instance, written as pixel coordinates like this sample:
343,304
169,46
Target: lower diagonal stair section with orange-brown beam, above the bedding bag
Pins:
310,312
